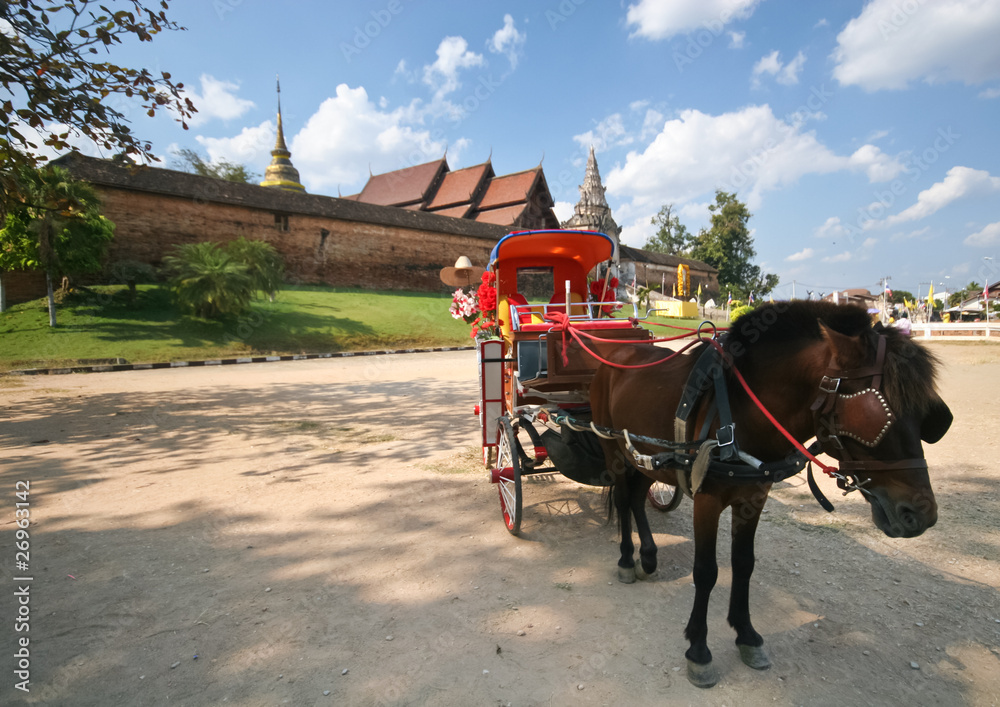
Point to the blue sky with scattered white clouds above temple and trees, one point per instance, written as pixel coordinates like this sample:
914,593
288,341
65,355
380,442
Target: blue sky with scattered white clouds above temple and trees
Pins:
863,135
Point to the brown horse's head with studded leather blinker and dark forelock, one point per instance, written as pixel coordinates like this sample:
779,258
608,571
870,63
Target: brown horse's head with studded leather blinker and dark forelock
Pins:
878,403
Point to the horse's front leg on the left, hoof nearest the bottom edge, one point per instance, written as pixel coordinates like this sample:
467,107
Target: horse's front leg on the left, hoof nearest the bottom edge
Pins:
707,509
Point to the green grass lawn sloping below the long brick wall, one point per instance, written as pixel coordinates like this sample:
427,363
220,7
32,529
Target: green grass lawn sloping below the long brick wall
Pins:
100,323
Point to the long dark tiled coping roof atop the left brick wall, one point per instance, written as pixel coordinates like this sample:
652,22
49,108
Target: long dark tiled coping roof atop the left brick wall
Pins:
208,189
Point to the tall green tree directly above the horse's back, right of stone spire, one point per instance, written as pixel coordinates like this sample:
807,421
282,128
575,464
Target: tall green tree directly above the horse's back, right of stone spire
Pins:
728,246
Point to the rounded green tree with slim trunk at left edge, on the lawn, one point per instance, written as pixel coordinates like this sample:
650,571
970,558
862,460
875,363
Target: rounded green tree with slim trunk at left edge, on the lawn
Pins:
55,226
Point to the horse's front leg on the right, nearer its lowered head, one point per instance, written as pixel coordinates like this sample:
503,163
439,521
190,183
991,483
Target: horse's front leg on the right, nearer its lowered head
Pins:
746,514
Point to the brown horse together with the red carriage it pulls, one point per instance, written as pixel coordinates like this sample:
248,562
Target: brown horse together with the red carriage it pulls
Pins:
725,421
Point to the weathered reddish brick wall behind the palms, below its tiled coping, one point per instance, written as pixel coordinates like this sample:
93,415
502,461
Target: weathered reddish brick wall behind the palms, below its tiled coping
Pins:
316,250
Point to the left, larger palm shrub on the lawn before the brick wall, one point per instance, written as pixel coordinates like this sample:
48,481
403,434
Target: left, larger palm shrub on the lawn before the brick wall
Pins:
208,280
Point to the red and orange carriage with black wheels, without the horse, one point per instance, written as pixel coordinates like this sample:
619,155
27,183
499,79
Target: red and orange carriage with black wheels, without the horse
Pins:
533,373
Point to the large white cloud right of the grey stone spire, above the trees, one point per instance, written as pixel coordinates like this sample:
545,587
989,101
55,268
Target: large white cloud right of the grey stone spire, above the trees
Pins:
749,151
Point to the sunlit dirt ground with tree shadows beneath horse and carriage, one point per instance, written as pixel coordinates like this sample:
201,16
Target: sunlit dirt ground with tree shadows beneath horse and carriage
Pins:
321,533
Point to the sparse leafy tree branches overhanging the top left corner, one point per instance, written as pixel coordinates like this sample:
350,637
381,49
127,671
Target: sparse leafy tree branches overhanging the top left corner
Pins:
56,85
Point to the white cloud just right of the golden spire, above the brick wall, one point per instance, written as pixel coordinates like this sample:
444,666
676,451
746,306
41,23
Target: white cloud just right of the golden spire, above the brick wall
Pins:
348,134
